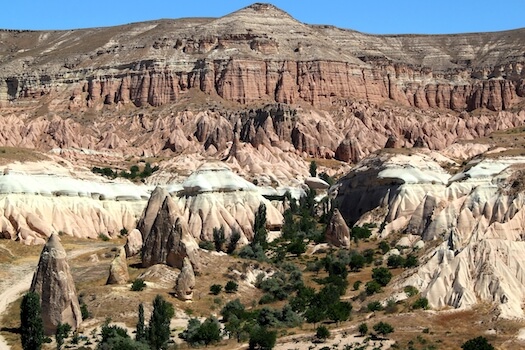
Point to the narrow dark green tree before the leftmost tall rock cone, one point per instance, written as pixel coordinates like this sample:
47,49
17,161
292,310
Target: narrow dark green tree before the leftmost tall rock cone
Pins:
31,324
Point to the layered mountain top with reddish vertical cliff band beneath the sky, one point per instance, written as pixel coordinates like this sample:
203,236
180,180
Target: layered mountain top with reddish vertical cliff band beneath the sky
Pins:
259,53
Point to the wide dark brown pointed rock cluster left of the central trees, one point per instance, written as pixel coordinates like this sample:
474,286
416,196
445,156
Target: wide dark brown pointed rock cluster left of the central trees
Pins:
169,241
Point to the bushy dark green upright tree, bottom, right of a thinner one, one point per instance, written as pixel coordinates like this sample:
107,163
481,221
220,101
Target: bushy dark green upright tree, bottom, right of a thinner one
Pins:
159,324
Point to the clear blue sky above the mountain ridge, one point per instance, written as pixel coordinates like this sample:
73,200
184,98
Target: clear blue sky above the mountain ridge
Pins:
376,17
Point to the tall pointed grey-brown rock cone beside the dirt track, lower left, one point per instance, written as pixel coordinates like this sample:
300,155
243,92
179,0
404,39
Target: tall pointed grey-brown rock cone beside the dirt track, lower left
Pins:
55,285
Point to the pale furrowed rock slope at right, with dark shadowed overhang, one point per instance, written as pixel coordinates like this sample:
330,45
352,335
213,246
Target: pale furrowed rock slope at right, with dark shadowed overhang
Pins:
477,214
